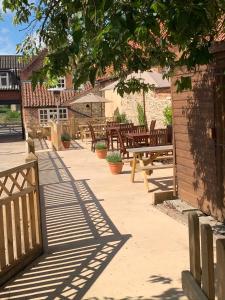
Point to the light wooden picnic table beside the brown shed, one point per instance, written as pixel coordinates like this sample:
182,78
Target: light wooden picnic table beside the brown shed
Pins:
154,152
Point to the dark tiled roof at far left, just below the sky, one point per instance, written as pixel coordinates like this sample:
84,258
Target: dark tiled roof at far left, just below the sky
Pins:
11,62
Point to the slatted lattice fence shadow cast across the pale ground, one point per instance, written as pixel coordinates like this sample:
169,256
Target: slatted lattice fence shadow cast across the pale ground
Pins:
80,240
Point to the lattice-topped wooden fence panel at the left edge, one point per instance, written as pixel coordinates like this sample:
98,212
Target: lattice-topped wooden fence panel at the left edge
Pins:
20,222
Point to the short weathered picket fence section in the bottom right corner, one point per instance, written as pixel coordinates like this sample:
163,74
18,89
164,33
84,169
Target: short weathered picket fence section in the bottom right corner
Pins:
199,282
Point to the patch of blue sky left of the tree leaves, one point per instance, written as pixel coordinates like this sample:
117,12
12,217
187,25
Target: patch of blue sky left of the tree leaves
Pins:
10,35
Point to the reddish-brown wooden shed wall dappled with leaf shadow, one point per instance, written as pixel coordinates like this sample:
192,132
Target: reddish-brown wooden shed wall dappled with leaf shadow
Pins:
194,121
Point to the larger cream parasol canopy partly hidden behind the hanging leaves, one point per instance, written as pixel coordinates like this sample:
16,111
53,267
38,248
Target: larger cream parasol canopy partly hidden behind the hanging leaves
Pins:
154,78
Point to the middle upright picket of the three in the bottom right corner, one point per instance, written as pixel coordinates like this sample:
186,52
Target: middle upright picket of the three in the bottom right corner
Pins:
207,261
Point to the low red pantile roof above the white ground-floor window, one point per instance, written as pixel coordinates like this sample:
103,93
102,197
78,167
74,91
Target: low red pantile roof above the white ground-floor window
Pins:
42,97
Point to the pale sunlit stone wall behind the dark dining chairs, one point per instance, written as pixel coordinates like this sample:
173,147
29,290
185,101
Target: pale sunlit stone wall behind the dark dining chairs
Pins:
155,102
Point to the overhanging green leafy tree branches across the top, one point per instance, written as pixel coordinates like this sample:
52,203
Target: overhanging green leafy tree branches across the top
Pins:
93,35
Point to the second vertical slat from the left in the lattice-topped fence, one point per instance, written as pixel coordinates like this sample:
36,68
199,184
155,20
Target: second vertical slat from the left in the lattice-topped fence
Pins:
9,232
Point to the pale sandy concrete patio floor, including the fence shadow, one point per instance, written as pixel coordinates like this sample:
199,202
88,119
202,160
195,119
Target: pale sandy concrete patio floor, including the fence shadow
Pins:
103,238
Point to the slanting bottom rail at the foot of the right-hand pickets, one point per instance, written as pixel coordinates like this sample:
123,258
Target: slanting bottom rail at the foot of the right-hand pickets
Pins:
190,287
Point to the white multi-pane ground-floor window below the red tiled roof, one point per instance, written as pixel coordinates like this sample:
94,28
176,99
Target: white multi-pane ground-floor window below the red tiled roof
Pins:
47,114
